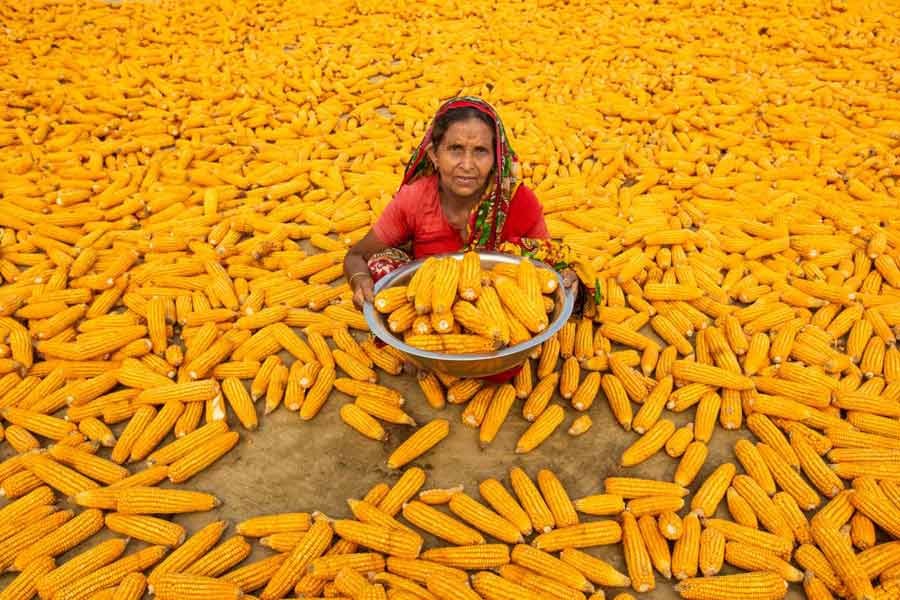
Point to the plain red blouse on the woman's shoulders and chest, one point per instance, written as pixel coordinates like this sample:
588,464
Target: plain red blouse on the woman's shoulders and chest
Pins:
415,215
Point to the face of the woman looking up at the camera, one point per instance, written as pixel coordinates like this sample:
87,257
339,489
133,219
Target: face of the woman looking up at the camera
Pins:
465,157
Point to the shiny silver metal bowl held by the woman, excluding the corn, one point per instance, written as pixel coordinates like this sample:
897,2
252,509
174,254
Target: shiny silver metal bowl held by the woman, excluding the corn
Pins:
469,365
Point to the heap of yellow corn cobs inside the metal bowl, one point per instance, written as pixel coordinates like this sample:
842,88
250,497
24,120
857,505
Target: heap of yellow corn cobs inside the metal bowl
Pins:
455,307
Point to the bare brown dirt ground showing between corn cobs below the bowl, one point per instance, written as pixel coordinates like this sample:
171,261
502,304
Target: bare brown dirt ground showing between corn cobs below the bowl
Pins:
292,465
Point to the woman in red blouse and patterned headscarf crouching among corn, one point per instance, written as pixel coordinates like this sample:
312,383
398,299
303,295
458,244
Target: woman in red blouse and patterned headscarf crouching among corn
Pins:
460,191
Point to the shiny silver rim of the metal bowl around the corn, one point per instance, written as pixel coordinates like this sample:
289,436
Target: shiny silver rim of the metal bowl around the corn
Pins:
385,335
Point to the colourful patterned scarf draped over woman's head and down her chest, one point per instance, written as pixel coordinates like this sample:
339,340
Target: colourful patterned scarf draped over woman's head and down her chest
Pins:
491,213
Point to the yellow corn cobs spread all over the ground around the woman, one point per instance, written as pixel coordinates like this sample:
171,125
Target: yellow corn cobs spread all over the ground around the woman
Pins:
180,182
